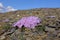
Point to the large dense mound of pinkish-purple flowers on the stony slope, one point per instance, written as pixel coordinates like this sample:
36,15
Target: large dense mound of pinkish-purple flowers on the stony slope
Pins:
29,22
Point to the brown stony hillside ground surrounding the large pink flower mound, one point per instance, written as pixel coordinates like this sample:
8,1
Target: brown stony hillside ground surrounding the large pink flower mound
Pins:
49,29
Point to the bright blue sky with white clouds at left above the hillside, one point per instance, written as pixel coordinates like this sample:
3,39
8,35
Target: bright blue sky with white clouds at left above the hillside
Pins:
28,4
